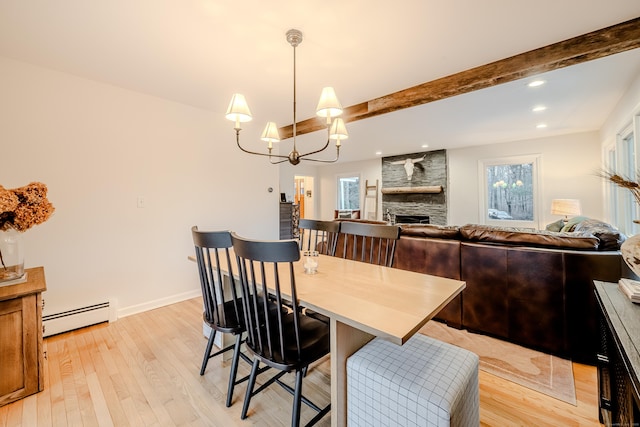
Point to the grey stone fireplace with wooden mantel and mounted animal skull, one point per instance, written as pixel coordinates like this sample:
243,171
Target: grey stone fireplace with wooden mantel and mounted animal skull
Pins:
414,188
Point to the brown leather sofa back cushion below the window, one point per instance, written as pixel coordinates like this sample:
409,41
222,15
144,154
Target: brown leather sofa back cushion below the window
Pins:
515,236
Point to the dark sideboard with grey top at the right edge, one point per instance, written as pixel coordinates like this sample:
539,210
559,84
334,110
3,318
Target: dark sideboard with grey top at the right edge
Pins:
618,357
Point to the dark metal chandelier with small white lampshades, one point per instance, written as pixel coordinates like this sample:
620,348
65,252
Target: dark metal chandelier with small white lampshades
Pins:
328,107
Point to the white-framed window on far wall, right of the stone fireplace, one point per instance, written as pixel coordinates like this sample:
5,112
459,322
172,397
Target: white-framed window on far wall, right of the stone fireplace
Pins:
509,191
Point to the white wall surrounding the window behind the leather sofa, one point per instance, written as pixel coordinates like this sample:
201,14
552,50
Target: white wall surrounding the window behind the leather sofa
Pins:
569,166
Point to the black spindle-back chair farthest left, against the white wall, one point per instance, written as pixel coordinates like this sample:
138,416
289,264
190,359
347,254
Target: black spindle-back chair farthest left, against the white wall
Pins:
223,307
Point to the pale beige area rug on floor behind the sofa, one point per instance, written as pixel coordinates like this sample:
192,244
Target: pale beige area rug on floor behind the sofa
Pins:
538,371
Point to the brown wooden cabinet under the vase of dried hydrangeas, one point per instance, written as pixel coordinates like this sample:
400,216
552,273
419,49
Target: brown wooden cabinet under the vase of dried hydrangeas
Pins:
21,353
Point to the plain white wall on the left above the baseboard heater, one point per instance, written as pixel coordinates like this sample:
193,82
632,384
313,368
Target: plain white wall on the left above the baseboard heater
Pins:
99,147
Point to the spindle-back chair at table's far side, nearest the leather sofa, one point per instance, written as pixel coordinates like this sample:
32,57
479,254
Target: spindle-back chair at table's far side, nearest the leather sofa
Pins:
366,242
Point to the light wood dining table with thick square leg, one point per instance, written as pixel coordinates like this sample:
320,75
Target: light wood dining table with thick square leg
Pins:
364,301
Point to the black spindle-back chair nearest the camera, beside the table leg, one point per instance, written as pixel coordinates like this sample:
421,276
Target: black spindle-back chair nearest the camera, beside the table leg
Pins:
281,337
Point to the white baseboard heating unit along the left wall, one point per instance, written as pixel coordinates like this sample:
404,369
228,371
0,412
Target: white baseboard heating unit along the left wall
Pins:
77,318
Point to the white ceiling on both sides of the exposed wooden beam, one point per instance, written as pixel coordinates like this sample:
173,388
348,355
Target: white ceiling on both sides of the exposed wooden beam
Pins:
199,52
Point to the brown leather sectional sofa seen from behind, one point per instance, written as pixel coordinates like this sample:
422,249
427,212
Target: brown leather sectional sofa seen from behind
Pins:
531,288
